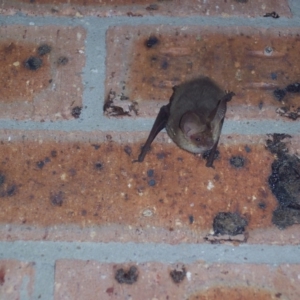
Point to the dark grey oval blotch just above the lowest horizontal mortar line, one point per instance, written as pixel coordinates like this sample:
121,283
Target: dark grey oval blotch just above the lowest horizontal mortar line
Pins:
229,223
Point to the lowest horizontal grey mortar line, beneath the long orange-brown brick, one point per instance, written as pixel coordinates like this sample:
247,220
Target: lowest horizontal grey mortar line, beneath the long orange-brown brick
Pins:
47,252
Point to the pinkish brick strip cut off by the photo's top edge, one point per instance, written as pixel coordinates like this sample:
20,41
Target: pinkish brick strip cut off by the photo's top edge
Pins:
140,8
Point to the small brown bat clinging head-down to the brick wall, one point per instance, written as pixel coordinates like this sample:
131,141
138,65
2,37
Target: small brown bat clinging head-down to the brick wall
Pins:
193,118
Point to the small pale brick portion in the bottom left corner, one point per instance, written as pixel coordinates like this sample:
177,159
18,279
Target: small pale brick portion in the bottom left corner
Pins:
16,279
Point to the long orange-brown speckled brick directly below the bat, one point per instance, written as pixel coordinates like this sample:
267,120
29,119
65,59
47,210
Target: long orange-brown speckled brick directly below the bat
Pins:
56,182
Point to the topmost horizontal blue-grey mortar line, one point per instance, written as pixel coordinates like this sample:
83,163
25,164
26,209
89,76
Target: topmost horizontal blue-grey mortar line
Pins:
105,22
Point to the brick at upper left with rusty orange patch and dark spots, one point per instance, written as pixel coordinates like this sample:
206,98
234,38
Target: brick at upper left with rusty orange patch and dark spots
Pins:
39,71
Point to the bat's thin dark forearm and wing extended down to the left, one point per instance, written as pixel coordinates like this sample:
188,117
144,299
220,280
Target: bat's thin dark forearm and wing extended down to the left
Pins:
159,124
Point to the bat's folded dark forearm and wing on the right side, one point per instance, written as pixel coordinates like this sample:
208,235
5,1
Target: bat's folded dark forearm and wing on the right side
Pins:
218,115
